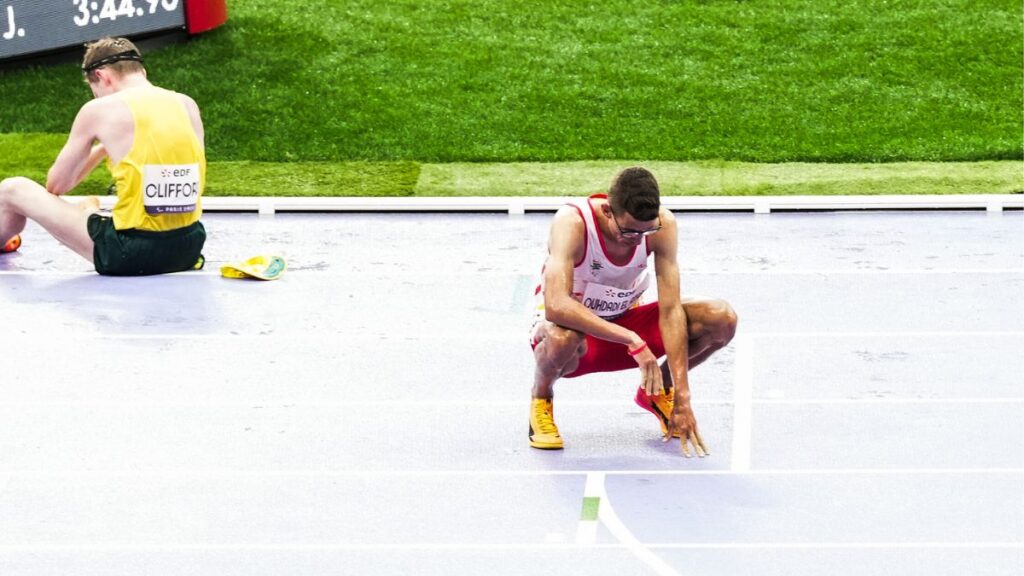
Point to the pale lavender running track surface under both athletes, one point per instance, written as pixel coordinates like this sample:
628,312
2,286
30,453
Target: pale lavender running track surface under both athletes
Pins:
368,413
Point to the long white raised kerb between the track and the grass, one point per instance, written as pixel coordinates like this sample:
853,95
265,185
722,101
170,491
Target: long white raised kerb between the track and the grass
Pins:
520,205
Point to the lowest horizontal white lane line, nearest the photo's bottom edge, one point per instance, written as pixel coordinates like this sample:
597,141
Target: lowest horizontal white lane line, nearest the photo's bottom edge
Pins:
346,547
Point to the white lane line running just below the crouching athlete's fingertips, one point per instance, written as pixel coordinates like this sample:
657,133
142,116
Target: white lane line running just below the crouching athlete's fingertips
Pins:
293,474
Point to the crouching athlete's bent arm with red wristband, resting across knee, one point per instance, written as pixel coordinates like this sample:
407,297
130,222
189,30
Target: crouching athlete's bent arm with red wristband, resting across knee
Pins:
566,249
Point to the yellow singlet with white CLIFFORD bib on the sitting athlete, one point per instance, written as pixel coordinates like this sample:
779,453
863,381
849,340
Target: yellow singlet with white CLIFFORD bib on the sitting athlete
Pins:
160,182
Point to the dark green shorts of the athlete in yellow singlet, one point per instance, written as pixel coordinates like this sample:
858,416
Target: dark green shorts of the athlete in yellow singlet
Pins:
137,253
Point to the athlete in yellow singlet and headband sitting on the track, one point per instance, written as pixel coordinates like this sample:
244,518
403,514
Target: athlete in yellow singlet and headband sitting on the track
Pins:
153,142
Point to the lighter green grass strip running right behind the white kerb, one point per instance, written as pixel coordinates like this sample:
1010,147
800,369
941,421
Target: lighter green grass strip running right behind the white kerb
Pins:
31,156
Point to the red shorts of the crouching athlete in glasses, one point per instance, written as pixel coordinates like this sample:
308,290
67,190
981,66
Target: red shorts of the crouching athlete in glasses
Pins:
603,356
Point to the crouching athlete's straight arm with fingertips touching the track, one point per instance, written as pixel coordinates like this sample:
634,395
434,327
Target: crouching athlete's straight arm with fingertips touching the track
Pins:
673,323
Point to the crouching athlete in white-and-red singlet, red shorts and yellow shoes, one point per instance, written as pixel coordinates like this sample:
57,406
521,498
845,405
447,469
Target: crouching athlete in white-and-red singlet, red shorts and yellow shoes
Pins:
590,318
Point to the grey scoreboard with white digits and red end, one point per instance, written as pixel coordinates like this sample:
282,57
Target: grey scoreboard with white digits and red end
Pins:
37,27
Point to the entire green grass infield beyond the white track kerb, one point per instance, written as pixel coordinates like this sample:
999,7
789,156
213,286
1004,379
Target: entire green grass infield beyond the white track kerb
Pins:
380,90
